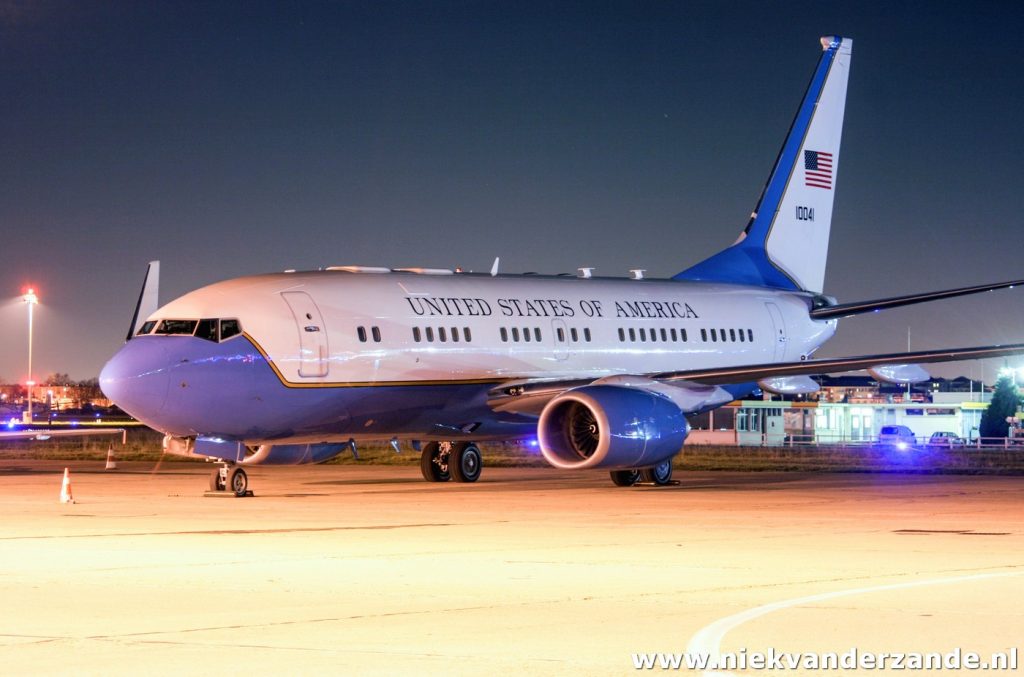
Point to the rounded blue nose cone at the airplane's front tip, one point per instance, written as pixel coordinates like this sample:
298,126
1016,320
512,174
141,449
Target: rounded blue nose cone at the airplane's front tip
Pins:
138,378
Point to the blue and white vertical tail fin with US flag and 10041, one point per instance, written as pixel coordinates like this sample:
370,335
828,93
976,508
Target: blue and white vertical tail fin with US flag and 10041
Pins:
786,243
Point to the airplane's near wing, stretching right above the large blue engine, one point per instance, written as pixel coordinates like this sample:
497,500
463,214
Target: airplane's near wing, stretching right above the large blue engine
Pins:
530,397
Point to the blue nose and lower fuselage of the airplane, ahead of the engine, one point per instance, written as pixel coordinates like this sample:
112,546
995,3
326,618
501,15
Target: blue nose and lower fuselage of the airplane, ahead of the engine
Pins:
186,387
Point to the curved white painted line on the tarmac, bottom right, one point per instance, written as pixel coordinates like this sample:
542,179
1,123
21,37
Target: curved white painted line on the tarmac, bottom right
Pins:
708,641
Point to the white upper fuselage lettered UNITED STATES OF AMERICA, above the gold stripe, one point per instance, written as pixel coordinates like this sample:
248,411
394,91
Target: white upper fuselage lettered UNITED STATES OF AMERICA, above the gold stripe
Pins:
336,327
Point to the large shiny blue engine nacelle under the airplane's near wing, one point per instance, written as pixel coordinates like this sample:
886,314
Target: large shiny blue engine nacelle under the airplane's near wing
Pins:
611,427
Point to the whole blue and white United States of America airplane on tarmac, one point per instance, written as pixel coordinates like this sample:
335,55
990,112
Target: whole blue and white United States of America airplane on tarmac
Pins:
300,367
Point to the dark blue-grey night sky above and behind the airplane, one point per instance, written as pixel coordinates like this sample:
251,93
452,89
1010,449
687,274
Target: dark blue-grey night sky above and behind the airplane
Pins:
235,139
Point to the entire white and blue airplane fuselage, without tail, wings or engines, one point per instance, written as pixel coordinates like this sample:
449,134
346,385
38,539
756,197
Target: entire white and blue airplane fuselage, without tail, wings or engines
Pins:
336,355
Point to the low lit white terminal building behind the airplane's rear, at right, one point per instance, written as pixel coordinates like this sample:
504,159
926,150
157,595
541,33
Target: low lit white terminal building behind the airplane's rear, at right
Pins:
848,410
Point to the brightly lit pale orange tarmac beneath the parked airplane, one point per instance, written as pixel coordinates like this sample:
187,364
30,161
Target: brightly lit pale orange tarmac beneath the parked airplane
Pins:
370,570
